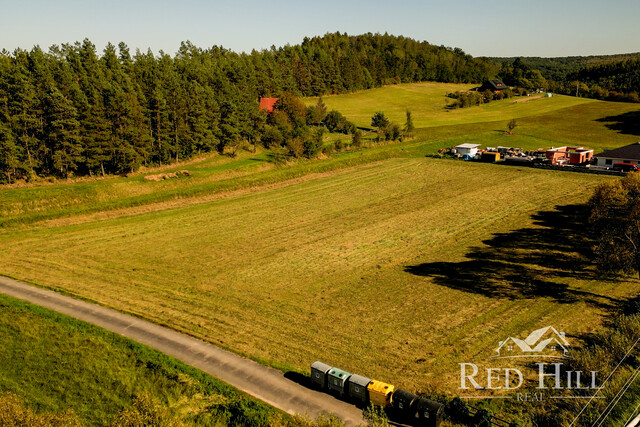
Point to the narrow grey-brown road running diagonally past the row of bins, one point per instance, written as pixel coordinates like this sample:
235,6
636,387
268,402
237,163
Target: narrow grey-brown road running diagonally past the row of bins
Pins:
266,384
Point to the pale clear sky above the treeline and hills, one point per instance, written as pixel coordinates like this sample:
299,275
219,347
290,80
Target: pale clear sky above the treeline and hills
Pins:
479,27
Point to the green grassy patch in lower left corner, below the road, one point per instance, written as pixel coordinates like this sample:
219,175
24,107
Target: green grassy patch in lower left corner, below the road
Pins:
55,363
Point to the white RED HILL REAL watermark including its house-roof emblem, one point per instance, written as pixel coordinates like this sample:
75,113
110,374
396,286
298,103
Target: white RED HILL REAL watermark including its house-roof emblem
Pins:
554,380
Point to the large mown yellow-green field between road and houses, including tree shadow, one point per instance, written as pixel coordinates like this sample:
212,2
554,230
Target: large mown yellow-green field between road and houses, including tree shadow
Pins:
398,269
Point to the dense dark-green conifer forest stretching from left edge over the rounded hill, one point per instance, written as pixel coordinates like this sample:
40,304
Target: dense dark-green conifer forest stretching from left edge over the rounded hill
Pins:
76,111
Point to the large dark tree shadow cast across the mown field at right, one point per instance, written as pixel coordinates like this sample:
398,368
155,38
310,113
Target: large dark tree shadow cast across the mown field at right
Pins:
527,263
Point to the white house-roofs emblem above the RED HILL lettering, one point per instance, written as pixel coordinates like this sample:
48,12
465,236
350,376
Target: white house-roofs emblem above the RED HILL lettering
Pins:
543,342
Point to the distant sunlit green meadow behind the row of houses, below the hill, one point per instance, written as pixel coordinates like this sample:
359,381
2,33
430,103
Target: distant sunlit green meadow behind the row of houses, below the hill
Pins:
541,123
